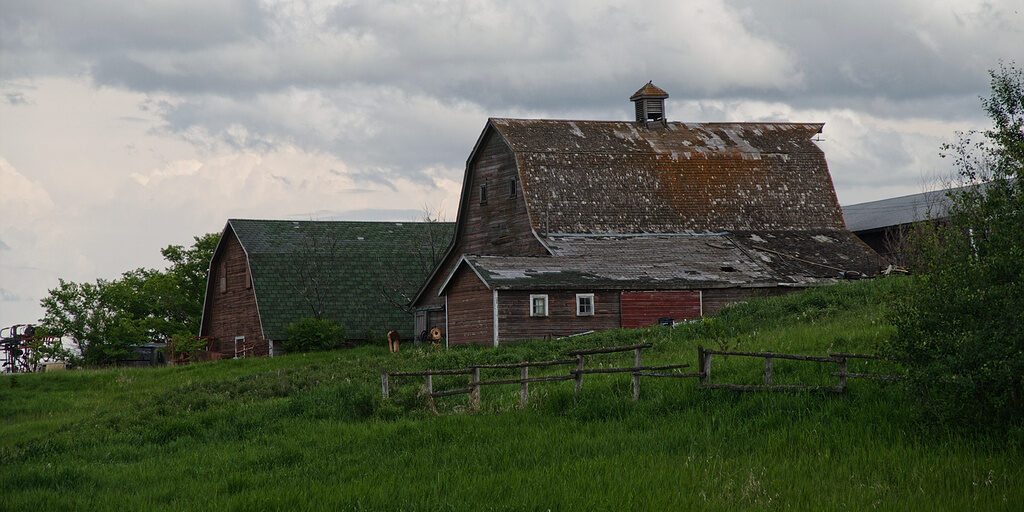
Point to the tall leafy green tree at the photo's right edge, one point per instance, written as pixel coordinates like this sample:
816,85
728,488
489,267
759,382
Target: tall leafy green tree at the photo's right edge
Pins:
961,328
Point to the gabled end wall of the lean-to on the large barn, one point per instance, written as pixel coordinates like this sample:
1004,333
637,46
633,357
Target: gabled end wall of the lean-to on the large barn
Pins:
471,311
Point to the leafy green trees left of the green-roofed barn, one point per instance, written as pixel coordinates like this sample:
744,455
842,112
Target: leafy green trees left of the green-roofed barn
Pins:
143,307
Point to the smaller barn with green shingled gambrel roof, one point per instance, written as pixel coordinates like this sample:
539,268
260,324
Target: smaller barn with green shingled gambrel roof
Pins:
268,274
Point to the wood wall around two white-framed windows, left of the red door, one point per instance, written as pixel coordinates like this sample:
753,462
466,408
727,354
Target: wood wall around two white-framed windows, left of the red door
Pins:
515,322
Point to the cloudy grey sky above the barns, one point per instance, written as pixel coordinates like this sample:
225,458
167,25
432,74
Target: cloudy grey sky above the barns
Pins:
127,126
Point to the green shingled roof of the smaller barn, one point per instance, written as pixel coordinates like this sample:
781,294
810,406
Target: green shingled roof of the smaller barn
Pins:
362,272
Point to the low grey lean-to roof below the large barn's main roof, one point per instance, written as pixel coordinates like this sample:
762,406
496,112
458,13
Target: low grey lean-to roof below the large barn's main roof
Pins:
680,262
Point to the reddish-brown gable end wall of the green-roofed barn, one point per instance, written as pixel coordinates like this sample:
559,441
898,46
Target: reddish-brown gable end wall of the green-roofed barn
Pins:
232,313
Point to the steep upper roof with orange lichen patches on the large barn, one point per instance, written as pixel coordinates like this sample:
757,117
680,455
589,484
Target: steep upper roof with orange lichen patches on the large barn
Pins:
607,177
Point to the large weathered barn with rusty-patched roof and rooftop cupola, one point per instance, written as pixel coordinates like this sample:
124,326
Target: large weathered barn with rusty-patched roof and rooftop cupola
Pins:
572,227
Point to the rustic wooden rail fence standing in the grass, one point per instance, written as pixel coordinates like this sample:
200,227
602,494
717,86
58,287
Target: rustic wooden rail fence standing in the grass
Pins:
638,371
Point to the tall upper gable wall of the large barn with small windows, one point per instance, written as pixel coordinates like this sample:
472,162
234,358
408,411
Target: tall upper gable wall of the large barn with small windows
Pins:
499,228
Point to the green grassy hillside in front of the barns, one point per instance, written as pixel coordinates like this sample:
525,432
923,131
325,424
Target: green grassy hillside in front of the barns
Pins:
312,432
